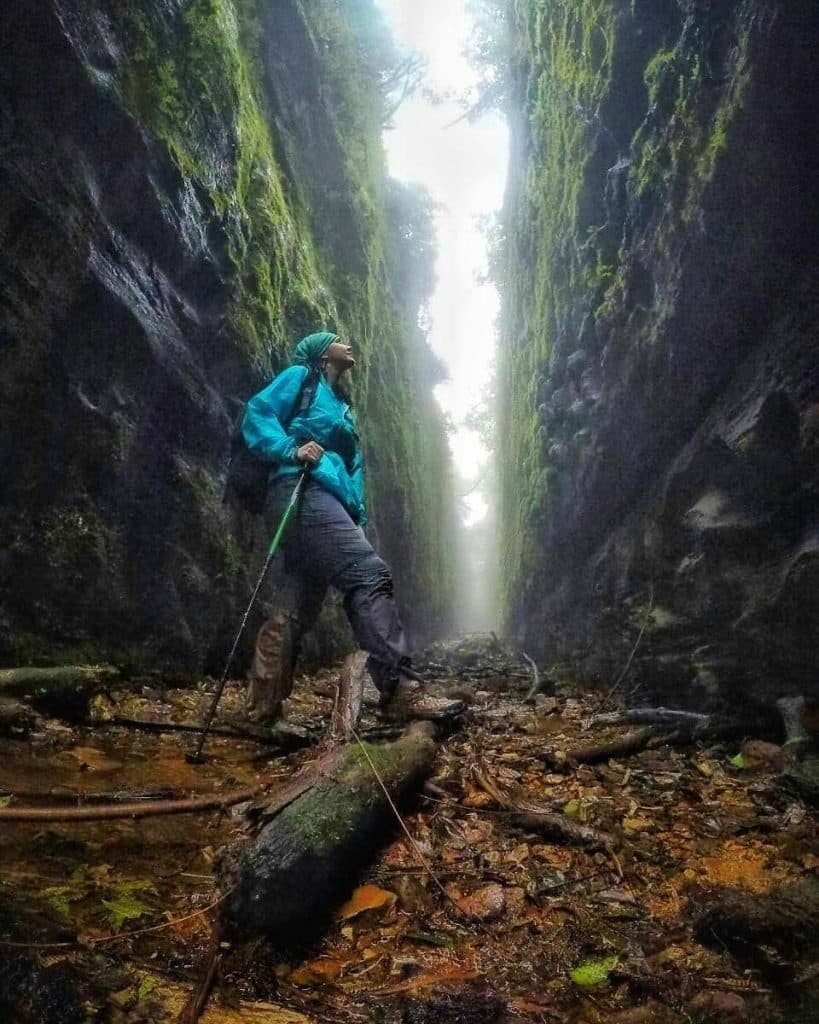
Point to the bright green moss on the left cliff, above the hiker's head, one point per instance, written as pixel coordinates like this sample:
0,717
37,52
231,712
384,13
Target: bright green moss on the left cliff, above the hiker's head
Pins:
194,81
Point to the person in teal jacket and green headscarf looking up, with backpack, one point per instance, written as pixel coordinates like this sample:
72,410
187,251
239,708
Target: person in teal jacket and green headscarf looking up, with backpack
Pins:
304,418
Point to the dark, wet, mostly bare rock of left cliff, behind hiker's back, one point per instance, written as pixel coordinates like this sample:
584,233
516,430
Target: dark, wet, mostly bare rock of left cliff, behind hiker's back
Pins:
110,424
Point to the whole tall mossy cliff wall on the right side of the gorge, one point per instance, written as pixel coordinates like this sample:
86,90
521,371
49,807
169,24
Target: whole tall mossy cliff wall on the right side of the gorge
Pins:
660,352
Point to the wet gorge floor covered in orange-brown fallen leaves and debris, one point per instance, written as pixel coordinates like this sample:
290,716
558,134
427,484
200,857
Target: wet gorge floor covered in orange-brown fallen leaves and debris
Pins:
493,926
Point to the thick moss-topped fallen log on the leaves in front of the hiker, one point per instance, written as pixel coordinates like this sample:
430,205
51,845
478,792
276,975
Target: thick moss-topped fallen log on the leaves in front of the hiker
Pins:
306,861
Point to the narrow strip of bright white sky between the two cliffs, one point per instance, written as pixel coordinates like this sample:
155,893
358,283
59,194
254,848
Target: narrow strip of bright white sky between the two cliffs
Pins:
464,166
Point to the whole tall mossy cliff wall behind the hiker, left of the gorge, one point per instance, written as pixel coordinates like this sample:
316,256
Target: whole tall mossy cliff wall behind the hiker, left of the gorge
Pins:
189,186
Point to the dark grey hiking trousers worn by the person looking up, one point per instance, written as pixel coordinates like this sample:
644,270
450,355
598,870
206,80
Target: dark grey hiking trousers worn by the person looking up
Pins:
324,548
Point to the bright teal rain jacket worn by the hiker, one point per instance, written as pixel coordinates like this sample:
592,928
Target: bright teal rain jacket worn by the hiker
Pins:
329,421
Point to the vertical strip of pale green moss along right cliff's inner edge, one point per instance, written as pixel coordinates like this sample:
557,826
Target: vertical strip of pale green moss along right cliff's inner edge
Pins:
569,50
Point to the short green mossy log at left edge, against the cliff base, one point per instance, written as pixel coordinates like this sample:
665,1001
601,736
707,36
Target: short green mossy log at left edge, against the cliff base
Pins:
64,691
